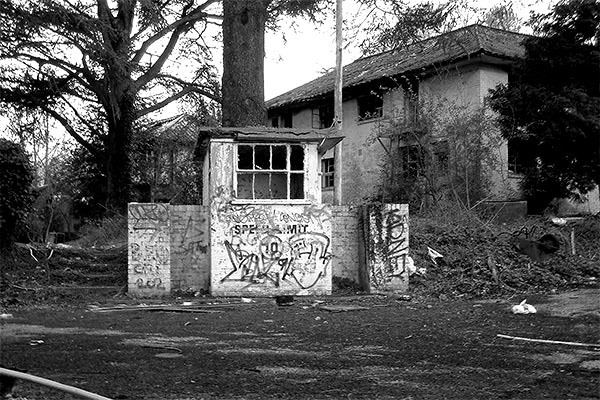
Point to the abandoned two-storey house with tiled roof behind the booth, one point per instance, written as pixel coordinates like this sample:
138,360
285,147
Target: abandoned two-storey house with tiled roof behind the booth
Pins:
450,72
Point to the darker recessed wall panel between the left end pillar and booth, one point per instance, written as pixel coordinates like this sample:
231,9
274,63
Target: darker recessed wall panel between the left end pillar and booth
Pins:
189,235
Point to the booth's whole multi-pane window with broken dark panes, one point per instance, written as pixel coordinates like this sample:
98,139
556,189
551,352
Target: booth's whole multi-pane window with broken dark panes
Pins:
270,171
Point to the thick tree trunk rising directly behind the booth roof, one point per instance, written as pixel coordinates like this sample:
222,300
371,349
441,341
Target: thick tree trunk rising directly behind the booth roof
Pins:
243,62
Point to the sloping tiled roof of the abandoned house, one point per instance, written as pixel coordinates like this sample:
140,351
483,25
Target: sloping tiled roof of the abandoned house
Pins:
439,50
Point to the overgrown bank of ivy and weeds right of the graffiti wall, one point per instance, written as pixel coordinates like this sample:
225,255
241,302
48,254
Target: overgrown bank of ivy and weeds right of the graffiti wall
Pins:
482,259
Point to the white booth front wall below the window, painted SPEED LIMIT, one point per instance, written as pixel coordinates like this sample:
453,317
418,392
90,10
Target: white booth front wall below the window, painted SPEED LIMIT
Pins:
268,250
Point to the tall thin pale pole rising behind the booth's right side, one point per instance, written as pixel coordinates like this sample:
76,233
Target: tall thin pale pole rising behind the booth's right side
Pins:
337,167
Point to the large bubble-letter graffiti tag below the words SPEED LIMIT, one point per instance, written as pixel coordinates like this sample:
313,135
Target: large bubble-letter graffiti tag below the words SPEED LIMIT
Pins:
303,259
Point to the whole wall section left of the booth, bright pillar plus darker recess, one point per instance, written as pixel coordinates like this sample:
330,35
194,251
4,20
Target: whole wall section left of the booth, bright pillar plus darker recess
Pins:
168,249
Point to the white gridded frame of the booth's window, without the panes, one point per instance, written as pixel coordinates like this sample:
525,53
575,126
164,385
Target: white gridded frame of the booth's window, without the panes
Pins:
254,171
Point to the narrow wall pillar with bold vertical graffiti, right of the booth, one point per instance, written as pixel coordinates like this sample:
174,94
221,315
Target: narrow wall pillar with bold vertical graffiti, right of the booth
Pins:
387,248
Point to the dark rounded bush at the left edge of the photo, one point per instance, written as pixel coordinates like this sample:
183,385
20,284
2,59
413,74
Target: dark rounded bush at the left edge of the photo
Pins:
16,178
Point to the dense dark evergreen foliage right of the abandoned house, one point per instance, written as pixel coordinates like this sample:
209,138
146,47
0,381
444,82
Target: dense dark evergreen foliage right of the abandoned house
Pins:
551,106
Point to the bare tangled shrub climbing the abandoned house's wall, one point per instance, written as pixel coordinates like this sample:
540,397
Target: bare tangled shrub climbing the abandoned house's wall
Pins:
446,152
